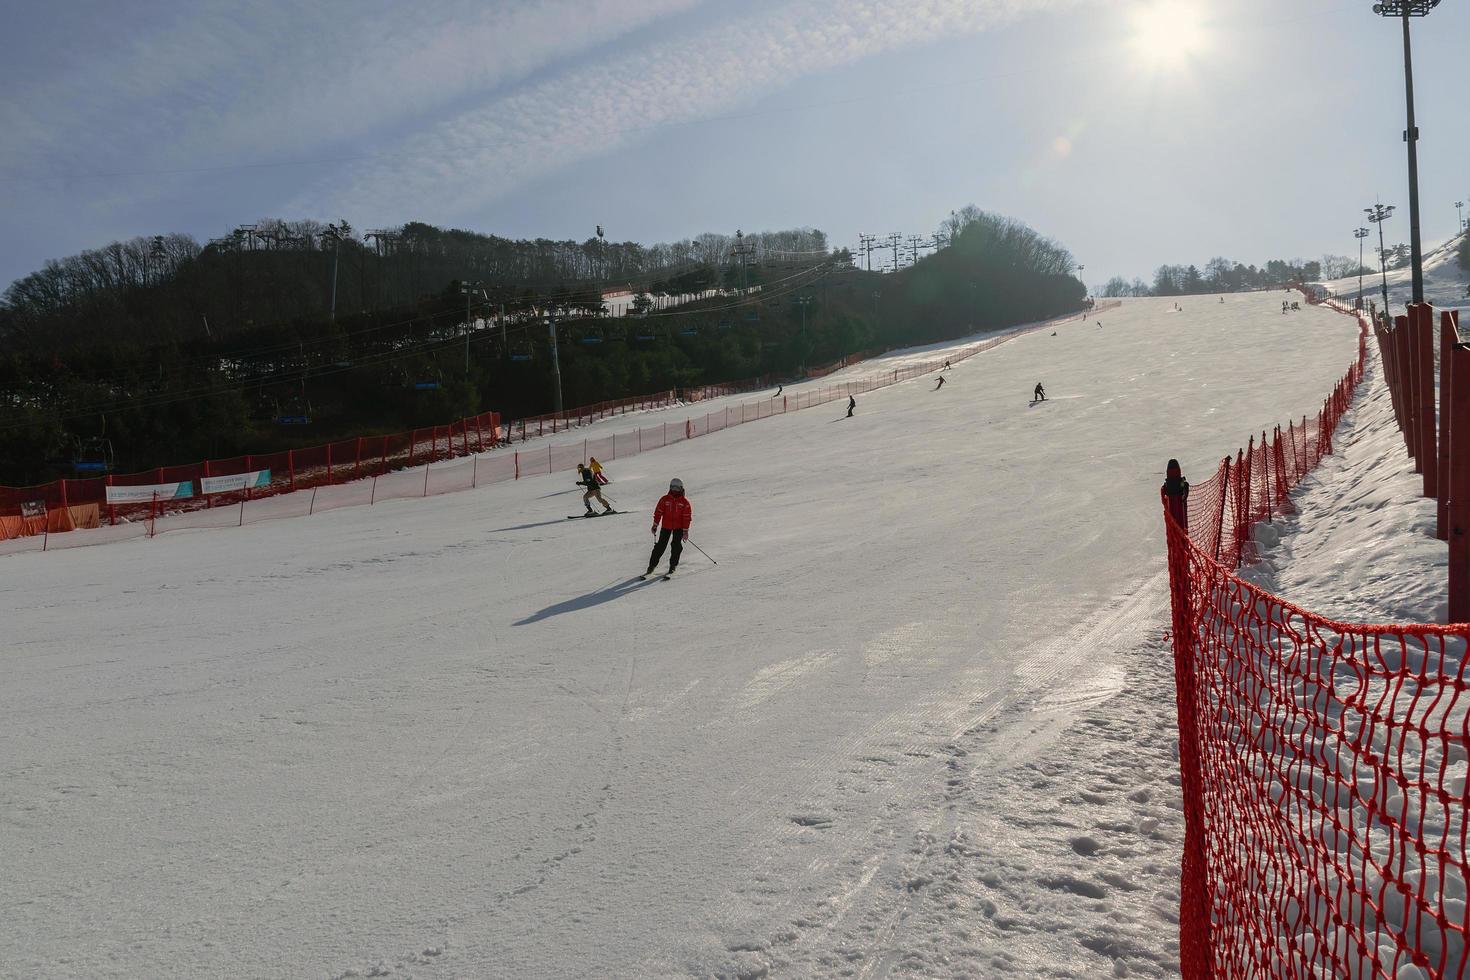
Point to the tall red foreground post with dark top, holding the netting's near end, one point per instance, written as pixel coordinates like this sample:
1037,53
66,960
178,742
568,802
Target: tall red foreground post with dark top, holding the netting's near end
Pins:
1194,907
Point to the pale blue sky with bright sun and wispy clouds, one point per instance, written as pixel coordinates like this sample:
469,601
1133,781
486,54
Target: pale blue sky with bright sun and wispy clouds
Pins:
1136,133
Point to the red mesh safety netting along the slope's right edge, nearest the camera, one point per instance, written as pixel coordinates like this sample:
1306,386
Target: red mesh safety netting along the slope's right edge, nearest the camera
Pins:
1324,765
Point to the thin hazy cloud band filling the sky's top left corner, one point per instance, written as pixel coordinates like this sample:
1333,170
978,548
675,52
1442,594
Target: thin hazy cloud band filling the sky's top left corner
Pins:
221,83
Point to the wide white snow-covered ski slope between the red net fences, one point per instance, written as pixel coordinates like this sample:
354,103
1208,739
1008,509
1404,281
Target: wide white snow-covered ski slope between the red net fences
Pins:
917,724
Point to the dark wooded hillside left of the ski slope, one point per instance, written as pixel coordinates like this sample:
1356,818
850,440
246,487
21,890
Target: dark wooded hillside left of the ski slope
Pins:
95,364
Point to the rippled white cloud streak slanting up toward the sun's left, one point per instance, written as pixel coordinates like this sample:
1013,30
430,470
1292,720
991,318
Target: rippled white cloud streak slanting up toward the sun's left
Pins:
480,155
